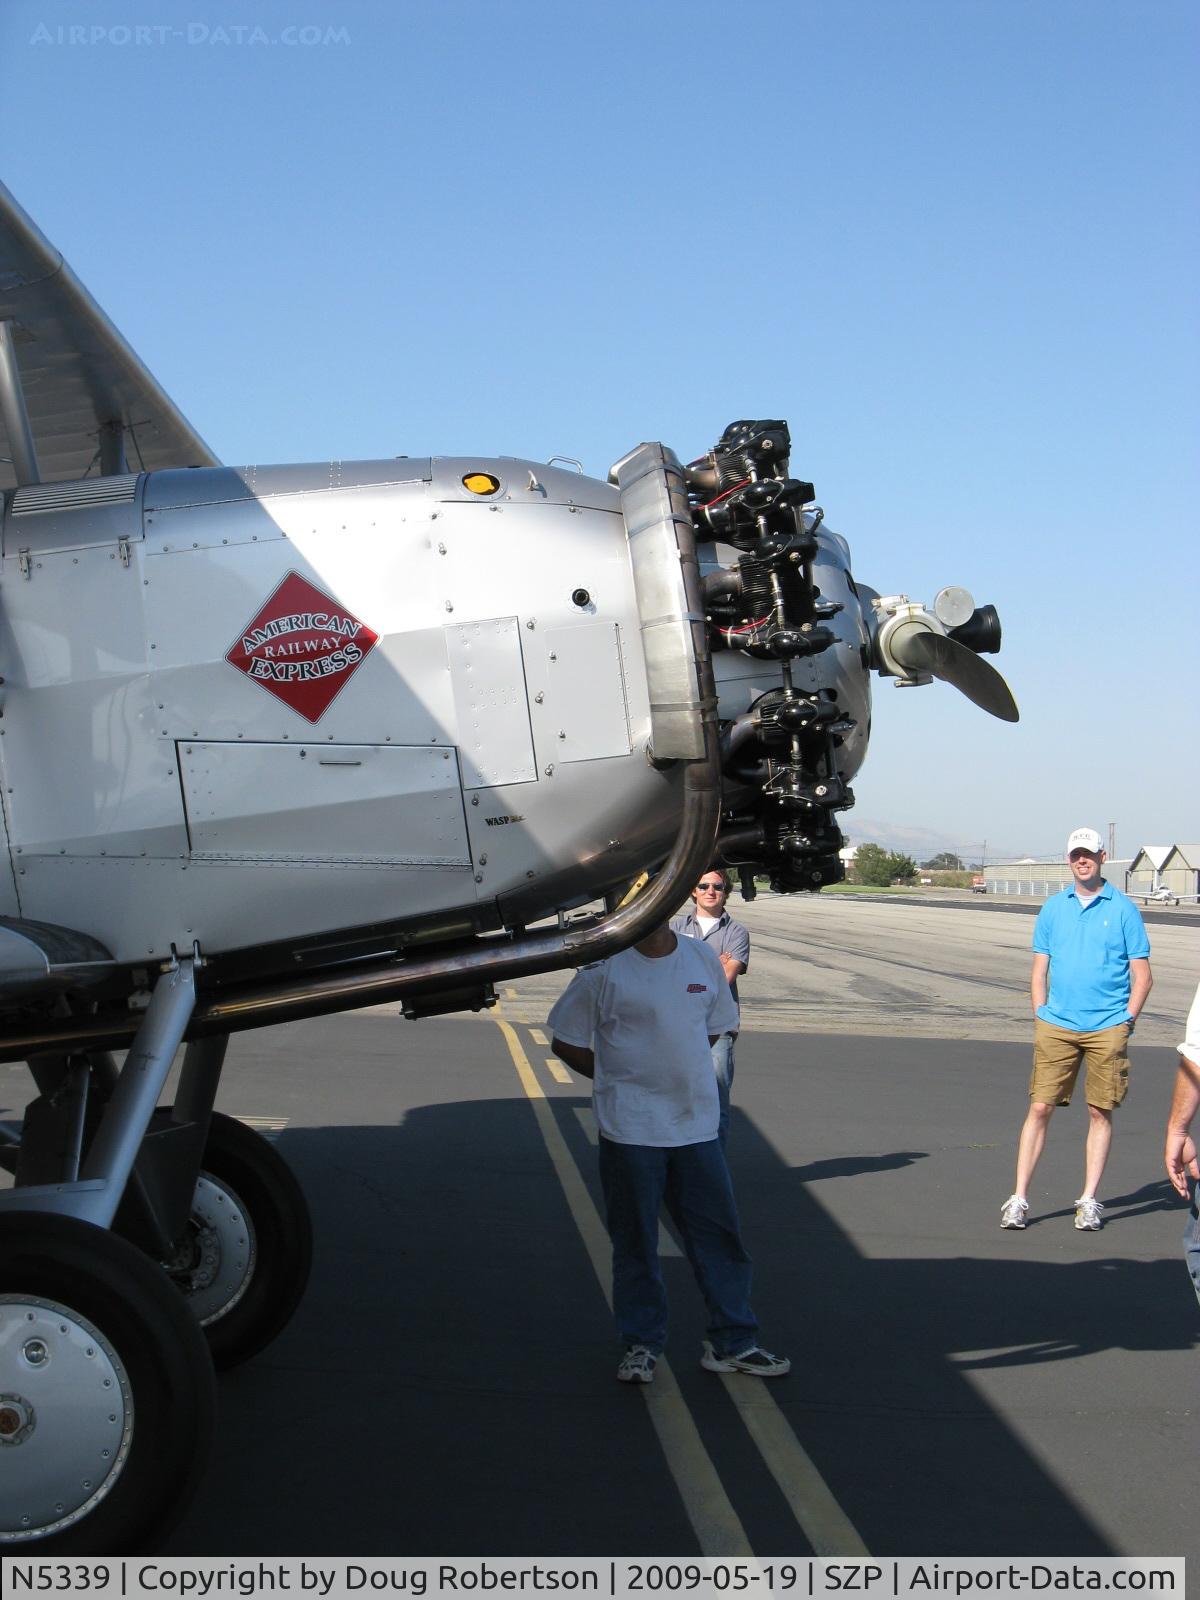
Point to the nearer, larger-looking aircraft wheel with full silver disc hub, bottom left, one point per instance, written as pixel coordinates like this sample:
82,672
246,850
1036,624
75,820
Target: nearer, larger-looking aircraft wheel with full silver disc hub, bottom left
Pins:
106,1391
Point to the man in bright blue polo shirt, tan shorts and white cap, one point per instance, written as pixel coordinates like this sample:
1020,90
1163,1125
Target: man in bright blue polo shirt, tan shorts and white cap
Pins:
1092,975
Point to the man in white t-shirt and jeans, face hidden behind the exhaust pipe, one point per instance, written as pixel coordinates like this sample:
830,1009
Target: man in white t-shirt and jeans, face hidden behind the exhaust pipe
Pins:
641,1026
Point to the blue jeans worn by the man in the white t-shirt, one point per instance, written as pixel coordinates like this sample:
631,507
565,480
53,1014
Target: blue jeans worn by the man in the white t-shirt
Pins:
694,1183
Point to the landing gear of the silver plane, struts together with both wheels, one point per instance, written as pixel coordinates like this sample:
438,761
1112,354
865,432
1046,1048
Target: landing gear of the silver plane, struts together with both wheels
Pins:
138,1247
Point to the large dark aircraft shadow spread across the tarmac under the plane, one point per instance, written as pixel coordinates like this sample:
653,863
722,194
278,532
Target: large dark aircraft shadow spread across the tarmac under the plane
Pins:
447,1386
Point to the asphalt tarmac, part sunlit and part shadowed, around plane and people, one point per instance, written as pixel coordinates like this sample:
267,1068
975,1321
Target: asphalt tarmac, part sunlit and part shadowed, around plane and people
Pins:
447,1388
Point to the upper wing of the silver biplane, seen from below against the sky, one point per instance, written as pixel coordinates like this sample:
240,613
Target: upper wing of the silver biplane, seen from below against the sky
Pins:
84,388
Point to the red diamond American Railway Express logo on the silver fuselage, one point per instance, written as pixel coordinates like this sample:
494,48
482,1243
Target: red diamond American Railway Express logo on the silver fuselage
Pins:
303,647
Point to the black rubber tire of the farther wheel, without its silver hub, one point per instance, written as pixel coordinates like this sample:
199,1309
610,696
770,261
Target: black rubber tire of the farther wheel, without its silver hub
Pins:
260,1185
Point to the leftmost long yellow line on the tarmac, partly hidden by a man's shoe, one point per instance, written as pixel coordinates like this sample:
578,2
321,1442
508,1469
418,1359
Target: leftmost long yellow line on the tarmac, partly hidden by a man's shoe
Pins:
718,1527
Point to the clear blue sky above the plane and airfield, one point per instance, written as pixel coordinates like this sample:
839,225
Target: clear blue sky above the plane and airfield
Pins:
954,242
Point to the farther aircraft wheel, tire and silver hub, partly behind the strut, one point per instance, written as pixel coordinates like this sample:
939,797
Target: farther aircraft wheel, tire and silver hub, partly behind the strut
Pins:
246,1263
